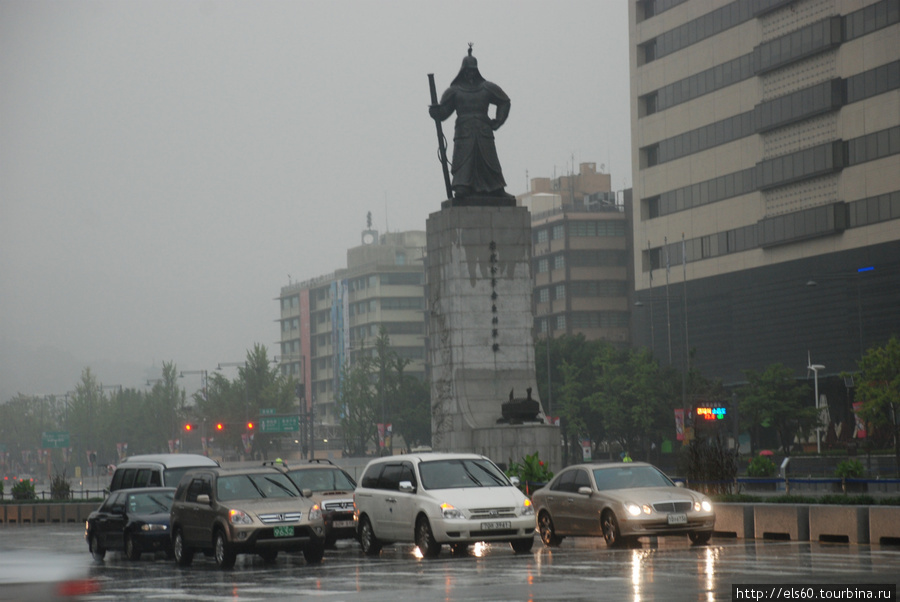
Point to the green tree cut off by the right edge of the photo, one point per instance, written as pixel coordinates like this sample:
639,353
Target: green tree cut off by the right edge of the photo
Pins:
879,389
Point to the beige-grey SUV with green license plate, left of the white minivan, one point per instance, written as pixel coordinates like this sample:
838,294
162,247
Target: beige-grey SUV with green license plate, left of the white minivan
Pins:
243,511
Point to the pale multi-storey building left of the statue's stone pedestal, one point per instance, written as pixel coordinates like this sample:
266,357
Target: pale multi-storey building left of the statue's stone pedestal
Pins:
329,320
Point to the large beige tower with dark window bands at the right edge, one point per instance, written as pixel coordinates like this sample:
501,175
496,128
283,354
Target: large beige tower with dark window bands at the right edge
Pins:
766,164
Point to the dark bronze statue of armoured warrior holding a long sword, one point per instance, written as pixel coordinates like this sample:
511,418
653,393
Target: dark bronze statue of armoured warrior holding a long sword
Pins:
475,166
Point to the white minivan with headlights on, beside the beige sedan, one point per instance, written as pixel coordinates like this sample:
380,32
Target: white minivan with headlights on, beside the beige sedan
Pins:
432,499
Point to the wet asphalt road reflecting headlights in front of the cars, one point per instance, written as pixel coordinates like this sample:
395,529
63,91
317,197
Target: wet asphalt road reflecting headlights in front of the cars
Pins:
669,569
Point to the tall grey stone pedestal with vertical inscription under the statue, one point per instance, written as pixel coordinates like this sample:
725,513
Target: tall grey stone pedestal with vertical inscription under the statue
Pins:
481,350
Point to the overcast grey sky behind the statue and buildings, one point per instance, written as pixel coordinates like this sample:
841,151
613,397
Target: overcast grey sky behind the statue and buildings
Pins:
165,165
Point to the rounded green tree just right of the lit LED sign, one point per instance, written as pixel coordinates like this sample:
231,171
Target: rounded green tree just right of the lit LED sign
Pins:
775,398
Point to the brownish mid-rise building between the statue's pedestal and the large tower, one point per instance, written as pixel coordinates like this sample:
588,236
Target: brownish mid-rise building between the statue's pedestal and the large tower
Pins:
580,239
